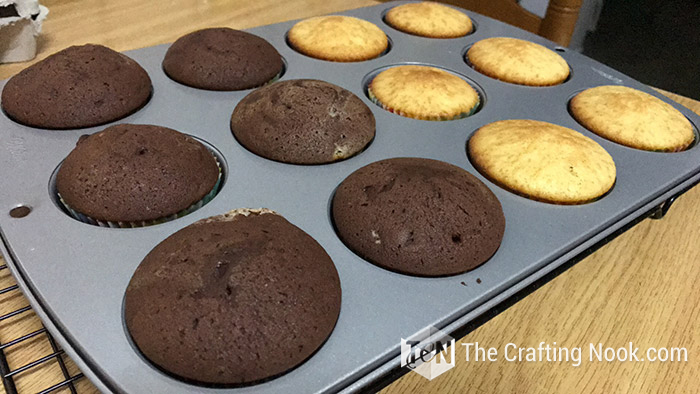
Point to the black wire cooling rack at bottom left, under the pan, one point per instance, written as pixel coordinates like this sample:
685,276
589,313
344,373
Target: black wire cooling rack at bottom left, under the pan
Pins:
30,359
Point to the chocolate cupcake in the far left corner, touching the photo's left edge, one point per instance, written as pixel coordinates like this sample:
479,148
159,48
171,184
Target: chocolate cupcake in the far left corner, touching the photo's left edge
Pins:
80,86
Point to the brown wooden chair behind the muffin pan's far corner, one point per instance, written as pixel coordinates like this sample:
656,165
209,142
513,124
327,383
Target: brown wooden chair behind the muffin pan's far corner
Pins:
557,25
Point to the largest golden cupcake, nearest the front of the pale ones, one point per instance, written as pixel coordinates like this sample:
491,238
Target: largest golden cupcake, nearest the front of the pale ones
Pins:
542,161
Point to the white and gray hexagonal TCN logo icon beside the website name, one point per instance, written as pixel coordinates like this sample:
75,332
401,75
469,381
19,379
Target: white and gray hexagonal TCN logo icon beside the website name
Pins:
429,353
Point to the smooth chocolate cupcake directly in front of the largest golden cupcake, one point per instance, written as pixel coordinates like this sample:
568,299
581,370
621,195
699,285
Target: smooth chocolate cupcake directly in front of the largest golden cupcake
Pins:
418,216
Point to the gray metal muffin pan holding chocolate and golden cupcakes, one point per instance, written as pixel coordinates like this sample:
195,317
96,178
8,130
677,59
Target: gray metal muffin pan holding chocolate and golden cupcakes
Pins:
75,274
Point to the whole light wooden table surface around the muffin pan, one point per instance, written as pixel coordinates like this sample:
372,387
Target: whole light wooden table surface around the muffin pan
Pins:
644,287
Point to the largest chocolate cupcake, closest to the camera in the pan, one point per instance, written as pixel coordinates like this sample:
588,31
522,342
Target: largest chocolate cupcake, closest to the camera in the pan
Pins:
233,299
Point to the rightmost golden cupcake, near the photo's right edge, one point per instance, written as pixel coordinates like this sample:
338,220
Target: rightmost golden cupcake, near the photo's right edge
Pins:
633,118
